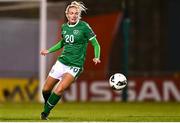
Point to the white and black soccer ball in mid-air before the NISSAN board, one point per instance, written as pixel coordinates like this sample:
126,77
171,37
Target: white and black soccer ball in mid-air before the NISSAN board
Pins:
117,81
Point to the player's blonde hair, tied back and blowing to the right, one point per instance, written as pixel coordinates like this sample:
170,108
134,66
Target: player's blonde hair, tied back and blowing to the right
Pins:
79,5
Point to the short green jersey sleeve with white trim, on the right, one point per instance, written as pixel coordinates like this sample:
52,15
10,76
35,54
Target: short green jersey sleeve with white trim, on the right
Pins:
89,33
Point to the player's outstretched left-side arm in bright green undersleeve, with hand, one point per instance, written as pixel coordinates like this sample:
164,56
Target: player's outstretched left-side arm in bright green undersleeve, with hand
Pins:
54,48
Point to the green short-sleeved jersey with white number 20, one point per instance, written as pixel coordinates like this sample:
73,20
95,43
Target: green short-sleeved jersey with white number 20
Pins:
75,41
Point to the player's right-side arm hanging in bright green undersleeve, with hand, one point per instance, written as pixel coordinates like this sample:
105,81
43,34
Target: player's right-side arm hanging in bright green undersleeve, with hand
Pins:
97,50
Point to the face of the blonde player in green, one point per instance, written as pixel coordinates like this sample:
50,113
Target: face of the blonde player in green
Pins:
73,15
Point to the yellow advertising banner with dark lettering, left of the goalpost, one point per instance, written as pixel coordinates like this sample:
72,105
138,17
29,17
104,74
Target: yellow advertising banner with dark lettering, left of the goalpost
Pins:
19,89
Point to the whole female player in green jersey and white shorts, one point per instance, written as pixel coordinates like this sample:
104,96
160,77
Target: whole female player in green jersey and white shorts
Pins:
76,35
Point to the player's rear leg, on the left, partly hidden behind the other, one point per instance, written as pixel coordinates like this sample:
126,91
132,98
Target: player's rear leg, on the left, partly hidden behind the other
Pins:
48,86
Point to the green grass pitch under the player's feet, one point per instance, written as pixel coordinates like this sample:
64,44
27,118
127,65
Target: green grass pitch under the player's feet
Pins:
93,111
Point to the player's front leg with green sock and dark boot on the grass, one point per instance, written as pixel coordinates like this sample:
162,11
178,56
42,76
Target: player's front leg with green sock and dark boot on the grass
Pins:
66,81
